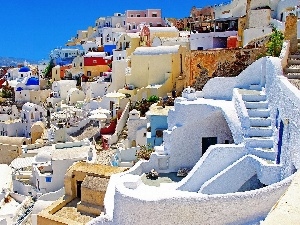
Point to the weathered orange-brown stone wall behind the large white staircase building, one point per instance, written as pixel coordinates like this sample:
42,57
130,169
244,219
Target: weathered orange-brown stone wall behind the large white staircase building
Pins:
203,65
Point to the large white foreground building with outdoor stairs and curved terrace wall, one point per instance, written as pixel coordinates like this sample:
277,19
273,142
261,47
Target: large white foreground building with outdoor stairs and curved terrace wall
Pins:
242,149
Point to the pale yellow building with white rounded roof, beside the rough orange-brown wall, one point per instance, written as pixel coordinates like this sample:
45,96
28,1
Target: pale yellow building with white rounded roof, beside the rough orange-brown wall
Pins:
159,69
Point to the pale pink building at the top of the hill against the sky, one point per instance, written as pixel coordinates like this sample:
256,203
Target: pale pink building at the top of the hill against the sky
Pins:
134,19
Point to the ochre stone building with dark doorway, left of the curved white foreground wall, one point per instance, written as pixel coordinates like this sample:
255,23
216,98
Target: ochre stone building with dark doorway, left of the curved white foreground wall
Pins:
85,188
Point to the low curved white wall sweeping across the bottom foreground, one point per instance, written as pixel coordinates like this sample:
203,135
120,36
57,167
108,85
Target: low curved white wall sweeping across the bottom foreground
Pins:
176,207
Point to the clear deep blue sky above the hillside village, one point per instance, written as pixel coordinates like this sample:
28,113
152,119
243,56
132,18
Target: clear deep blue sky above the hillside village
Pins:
30,29
